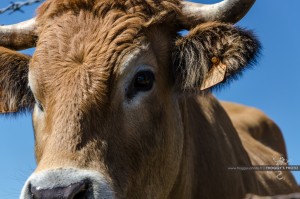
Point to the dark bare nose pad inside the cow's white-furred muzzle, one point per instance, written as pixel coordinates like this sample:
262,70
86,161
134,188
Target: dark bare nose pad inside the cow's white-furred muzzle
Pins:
73,191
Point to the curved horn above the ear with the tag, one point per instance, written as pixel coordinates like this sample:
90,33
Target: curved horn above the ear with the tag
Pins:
230,11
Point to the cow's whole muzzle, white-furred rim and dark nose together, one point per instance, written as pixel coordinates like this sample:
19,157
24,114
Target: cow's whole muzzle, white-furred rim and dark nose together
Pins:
67,184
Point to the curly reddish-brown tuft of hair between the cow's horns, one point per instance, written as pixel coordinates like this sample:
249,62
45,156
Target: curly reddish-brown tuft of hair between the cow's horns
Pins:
145,9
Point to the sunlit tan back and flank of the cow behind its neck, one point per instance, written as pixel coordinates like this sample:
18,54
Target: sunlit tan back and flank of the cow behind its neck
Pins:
264,143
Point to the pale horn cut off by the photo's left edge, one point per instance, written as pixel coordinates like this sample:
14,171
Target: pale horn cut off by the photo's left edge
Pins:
18,36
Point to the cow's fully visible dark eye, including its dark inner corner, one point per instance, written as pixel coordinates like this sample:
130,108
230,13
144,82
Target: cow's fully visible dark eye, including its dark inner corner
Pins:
142,82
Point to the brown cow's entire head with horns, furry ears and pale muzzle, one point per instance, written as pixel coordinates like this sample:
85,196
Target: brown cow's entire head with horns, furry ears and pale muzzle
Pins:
105,84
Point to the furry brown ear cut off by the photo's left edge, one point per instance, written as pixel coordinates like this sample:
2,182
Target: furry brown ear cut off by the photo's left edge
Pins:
15,94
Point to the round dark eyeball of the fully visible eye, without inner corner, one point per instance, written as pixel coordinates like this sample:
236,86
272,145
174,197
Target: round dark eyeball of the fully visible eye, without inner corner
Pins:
143,80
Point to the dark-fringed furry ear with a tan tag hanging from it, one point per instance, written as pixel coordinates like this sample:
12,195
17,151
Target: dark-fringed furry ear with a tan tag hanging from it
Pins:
212,53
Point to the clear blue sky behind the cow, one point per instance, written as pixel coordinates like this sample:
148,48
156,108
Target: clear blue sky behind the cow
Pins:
272,86
